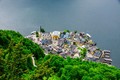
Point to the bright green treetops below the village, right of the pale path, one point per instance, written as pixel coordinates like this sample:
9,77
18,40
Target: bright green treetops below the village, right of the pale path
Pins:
54,67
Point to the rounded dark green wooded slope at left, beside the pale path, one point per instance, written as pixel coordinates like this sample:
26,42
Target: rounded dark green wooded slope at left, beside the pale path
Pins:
15,54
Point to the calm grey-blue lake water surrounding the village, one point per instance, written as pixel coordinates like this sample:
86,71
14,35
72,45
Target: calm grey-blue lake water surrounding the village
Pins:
100,18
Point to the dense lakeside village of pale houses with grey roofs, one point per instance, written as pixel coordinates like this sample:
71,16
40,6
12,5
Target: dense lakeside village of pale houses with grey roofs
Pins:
73,44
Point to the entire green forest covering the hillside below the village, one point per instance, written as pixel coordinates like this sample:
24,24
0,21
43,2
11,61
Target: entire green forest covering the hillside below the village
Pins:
16,63
